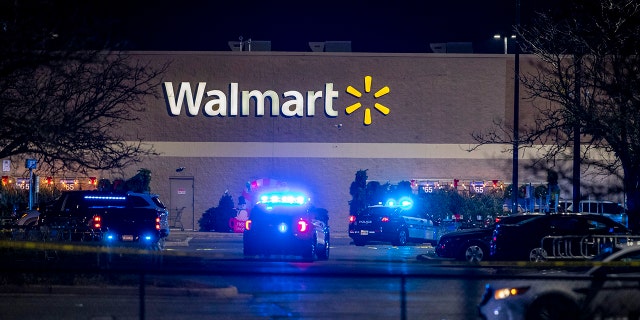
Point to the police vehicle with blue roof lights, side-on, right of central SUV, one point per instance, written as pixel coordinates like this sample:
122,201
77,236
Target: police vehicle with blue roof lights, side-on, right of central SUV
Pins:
397,224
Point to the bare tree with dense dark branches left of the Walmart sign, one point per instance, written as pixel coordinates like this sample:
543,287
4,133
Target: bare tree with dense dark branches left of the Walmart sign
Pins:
64,96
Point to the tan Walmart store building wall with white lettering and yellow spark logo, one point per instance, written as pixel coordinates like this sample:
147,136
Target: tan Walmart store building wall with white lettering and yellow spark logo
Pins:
223,120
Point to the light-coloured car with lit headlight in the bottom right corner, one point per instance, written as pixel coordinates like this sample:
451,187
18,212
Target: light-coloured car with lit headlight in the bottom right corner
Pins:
602,292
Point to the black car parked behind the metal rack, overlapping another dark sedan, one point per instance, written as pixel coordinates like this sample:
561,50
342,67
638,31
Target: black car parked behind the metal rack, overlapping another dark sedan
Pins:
571,236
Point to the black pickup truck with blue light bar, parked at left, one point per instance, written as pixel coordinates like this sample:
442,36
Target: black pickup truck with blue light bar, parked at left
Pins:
113,218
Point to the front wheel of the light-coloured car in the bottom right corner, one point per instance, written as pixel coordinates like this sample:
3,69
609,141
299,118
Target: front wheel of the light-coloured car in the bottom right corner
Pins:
552,307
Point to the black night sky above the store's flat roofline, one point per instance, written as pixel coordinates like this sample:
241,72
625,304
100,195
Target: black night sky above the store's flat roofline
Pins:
371,26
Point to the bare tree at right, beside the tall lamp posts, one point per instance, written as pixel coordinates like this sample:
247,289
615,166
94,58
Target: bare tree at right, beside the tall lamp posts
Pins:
589,80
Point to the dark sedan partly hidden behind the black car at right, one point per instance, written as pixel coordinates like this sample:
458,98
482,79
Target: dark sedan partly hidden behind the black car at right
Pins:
472,245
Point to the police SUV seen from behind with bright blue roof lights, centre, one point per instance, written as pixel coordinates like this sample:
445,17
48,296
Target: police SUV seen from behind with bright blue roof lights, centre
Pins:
285,224
